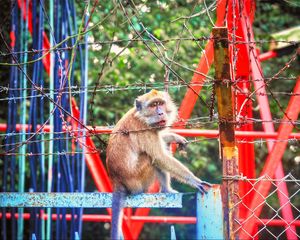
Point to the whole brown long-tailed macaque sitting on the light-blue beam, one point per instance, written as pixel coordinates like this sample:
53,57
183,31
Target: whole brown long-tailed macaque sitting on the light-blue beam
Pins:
137,153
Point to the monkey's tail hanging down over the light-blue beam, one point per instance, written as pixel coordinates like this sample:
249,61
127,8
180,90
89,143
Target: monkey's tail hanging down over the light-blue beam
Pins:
118,200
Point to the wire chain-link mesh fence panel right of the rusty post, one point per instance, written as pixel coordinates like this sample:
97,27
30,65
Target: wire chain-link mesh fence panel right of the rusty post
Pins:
265,217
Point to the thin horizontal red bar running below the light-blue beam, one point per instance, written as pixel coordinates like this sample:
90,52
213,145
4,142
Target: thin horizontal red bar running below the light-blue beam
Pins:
156,219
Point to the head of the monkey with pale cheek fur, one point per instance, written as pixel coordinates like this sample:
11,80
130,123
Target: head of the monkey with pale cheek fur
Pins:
157,111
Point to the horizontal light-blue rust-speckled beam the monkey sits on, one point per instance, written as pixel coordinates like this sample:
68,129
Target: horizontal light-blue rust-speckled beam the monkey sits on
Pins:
88,200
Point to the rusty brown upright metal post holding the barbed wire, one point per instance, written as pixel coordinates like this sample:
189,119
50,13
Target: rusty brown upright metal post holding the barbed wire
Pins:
228,149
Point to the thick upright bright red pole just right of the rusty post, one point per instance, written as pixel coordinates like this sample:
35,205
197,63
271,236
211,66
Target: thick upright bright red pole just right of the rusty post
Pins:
241,72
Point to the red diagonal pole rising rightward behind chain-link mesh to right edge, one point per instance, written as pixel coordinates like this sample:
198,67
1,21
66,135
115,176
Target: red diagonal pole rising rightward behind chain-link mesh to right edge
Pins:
272,161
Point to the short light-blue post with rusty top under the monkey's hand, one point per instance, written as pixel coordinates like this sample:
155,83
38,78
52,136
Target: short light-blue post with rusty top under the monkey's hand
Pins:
209,214
